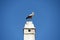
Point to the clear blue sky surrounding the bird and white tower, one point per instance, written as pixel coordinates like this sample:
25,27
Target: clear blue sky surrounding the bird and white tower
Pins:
46,19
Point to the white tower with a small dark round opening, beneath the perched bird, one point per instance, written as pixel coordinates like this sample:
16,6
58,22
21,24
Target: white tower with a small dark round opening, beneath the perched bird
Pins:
29,31
